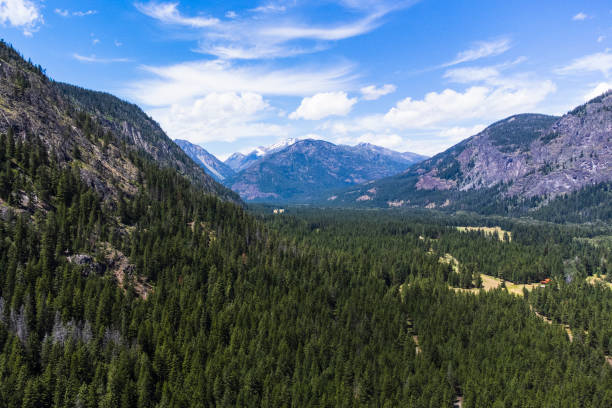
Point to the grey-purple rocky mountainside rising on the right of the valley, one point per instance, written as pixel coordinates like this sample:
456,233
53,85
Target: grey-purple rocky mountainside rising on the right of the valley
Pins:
524,157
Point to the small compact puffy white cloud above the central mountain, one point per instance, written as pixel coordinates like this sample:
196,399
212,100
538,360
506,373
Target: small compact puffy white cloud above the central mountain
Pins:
324,104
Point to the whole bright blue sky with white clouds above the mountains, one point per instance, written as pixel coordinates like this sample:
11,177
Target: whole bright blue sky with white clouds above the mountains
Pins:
409,75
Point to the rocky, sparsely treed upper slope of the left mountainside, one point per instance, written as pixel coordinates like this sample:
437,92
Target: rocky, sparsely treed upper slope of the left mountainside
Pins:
91,130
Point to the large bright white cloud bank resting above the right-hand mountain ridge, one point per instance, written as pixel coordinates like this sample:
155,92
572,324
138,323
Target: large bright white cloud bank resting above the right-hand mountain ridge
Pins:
441,119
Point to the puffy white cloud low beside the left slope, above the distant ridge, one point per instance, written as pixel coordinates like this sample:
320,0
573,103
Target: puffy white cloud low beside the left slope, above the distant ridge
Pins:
225,116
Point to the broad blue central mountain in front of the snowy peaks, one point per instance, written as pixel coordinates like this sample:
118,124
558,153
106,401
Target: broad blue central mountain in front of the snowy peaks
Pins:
307,168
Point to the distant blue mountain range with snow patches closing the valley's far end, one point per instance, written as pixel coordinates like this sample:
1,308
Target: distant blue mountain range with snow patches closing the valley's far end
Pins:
300,170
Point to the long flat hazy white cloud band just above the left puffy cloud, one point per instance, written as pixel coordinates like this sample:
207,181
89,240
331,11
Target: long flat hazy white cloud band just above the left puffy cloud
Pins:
191,80
